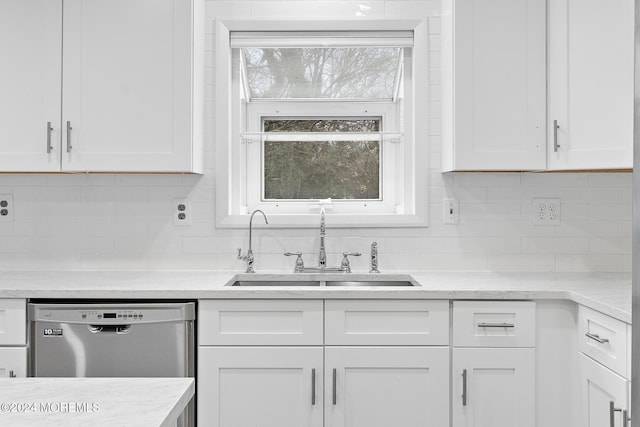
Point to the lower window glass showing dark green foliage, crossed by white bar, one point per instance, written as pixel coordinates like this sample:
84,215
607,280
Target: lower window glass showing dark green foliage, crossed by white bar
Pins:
322,169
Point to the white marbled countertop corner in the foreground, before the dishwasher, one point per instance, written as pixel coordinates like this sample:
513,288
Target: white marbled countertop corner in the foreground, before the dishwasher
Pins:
100,402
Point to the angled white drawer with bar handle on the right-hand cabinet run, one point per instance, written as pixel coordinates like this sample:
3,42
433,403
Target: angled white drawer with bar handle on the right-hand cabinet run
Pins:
604,339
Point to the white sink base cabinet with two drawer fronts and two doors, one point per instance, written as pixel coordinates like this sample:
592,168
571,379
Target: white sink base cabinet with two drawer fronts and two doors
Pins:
260,380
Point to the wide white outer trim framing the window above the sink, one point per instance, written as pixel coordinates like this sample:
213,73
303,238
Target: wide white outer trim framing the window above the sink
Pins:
231,211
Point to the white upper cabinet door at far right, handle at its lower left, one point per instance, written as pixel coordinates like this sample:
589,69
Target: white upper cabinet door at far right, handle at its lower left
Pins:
591,49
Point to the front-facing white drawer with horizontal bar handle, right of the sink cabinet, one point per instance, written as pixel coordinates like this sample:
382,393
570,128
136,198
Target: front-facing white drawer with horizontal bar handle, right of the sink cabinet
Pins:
494,324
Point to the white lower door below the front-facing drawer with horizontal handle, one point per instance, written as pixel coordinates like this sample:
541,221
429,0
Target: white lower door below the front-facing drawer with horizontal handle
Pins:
499,389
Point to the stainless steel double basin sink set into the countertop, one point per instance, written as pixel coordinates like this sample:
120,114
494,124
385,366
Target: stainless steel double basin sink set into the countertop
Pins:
347,280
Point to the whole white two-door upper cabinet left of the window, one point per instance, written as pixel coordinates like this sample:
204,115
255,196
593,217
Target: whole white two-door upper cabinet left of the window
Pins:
131,85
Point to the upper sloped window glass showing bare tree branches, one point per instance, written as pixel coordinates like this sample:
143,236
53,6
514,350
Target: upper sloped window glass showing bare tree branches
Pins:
326,73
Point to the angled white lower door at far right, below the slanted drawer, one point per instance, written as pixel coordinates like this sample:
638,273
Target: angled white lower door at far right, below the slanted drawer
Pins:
601,391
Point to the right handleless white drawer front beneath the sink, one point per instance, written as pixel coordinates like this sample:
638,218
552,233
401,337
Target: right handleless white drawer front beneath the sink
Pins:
388,322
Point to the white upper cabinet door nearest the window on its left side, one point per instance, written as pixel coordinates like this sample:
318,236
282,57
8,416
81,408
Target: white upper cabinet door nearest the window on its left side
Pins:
127,85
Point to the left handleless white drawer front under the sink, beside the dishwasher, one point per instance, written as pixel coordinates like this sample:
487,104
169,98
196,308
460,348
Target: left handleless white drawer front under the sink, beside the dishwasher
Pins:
260,322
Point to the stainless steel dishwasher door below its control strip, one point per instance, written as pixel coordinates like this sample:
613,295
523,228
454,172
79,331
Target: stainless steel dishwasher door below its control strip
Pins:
77,350
